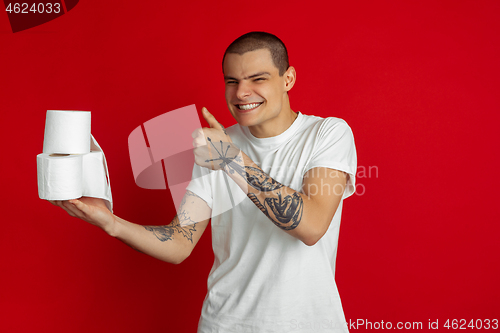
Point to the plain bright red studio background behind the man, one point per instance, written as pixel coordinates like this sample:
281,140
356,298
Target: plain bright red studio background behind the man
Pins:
417,81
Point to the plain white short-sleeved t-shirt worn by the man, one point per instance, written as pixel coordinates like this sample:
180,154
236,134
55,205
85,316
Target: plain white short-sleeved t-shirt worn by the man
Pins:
263,279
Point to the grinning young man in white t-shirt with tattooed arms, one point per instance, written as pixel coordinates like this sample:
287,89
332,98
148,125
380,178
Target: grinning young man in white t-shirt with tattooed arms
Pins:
274,249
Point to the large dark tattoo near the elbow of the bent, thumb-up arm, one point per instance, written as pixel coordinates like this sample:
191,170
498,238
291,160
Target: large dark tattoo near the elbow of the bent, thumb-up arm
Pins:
285,213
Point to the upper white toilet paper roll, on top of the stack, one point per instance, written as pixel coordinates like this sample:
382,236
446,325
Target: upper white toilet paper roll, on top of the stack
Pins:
67,132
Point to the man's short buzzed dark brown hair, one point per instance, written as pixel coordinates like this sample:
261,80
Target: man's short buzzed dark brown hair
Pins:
257,40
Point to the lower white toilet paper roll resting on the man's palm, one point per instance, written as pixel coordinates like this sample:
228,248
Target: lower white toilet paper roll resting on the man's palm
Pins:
59,176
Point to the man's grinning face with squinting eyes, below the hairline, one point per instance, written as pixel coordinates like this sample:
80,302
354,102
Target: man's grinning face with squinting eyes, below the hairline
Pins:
255,93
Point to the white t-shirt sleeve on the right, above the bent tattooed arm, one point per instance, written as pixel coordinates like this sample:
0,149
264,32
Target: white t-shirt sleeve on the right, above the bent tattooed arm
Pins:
334,148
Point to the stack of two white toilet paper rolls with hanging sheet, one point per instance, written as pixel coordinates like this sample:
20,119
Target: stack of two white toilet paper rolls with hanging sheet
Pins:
72,164
